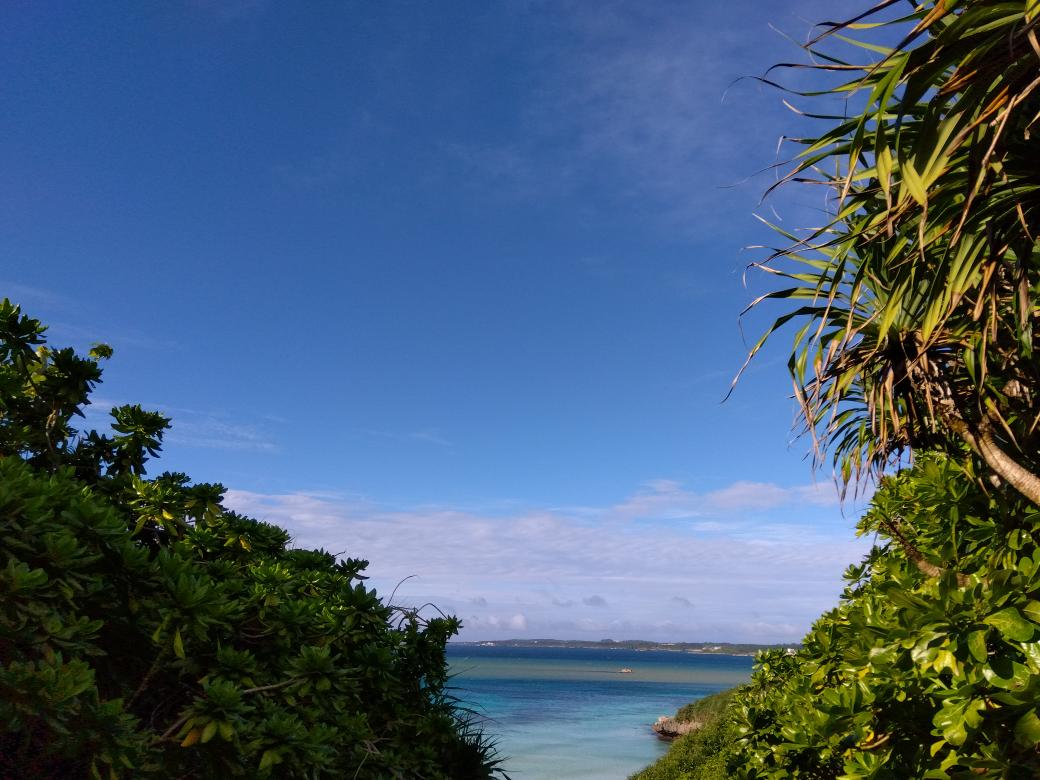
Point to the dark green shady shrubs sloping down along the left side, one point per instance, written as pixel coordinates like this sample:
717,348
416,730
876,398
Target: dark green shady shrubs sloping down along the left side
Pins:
148,632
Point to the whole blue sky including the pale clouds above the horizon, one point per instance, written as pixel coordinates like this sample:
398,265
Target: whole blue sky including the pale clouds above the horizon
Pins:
453,288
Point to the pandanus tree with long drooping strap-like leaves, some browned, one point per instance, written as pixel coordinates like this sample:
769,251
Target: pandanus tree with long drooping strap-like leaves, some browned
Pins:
919,300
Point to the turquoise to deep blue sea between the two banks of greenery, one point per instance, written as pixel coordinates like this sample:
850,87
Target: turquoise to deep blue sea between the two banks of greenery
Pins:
573,715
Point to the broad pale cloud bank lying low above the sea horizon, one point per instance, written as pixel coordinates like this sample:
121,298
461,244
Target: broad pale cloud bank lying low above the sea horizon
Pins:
597,573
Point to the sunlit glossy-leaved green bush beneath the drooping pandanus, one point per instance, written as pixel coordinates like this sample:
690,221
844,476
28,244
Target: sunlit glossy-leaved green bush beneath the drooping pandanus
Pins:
915,675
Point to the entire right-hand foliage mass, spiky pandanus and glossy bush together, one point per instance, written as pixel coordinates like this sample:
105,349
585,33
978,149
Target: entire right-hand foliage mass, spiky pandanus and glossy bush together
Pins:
918,308
